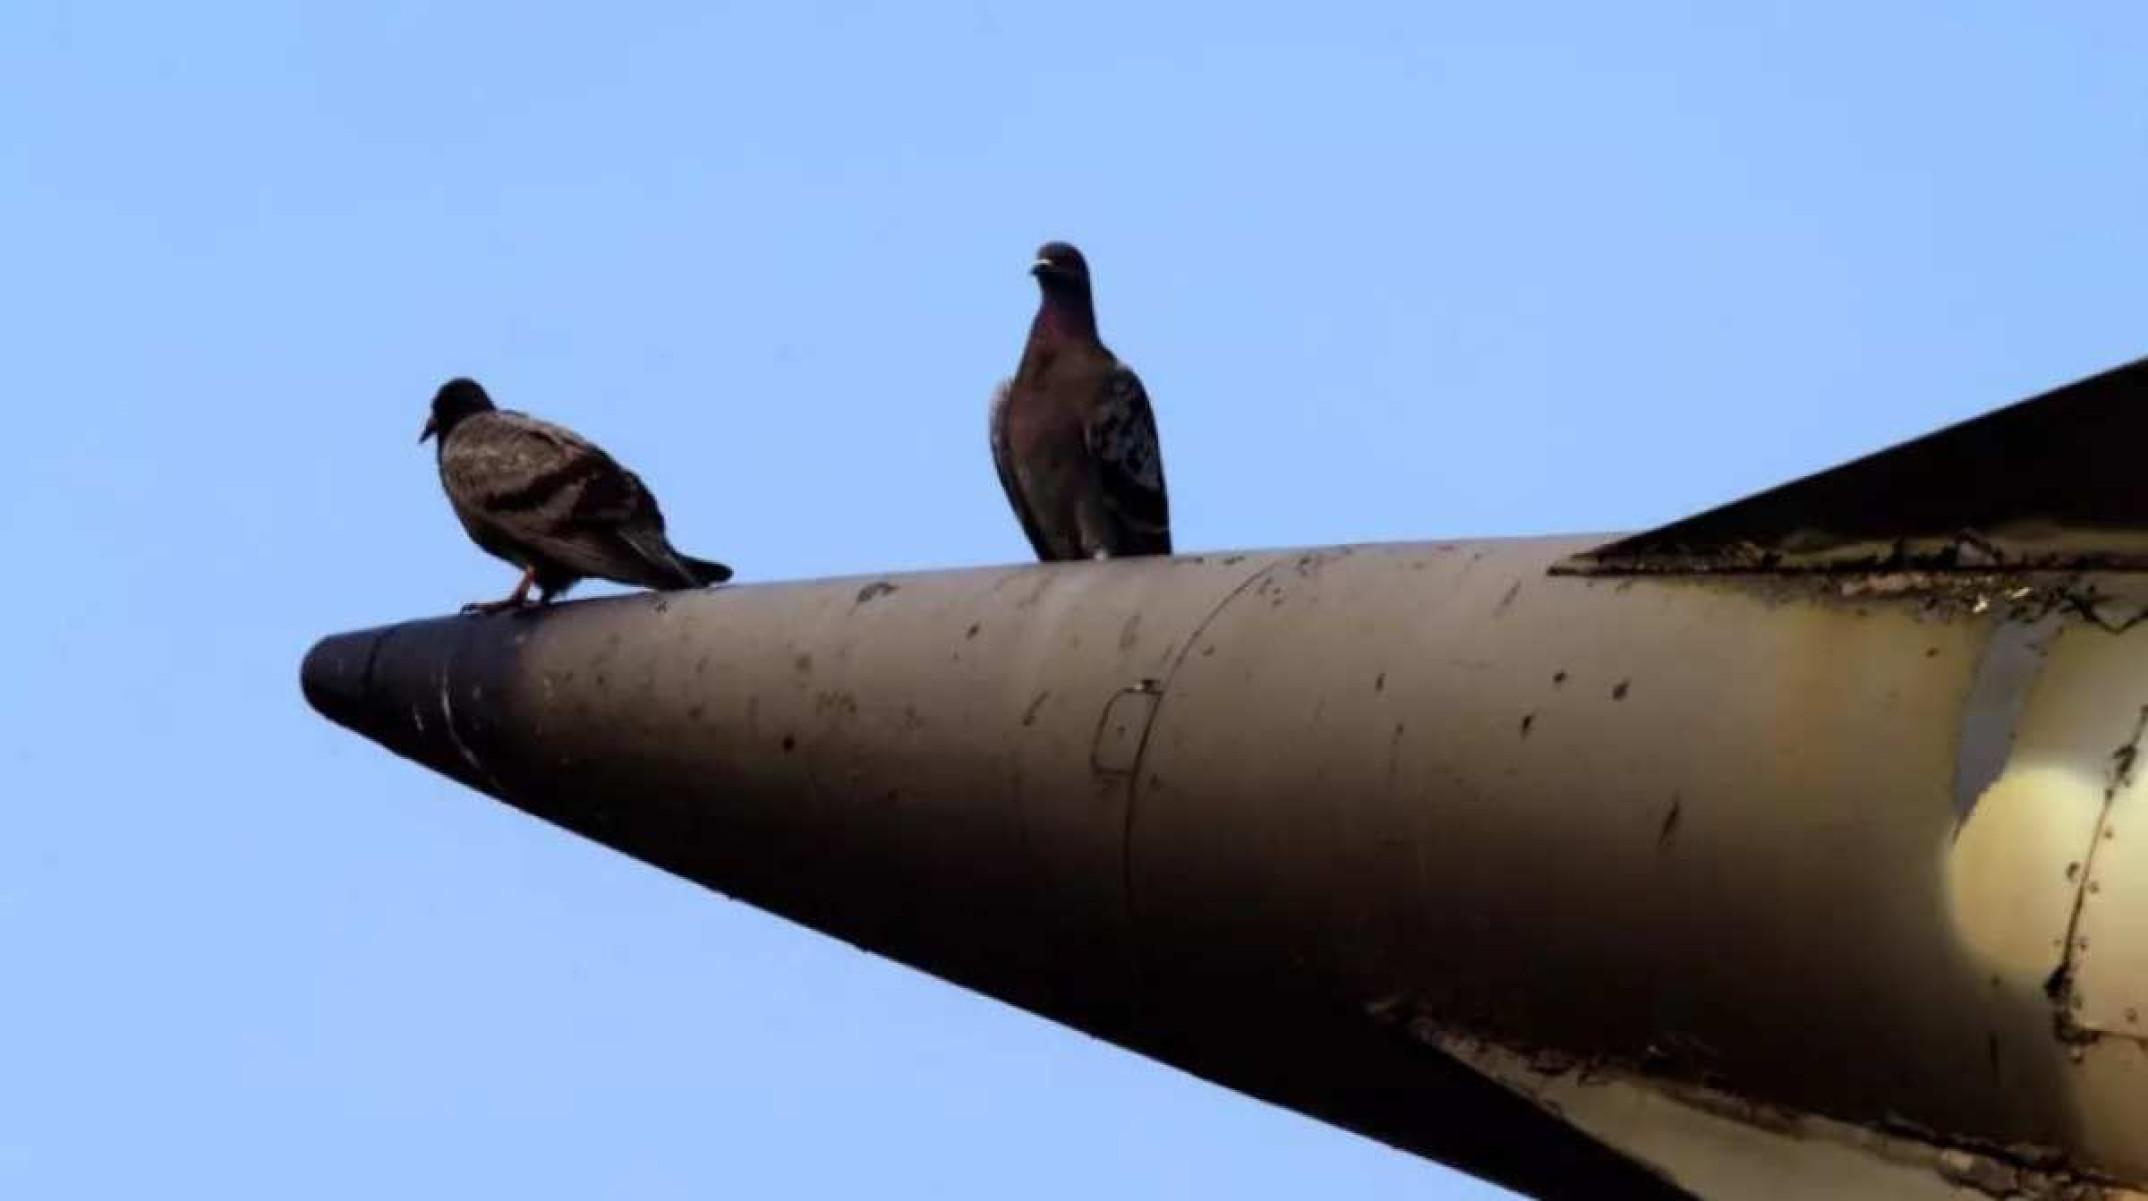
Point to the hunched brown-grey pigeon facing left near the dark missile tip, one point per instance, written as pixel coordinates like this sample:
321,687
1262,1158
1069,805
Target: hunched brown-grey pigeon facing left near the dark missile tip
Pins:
549,502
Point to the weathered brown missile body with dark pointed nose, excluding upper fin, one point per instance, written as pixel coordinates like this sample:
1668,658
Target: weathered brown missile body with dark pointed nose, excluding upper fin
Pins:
1363,828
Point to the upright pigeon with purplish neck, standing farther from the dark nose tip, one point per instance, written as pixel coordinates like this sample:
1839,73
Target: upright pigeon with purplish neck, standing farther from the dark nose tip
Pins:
1073,435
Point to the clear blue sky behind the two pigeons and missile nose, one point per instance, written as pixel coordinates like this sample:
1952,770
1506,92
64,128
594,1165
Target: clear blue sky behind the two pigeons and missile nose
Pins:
1389,270
